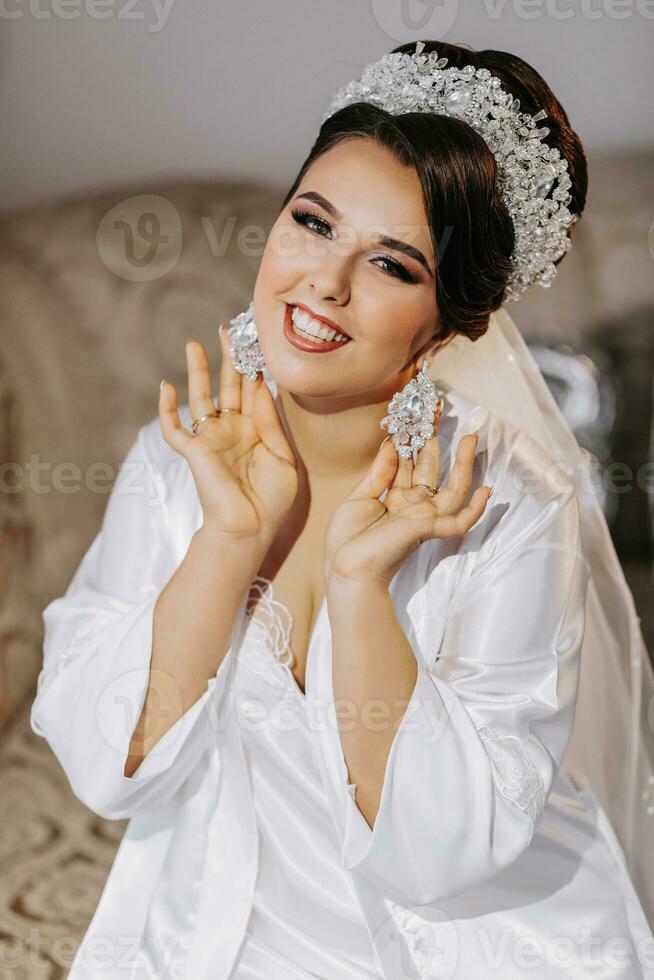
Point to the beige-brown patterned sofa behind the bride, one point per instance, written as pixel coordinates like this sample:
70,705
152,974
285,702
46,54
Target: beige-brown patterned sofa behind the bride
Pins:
98,294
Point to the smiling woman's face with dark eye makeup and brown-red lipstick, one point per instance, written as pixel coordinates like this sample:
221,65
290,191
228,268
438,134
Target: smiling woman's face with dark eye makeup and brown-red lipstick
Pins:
326,254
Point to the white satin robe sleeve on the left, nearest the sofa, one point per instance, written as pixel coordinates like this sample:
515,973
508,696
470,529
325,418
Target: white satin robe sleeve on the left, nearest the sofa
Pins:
97,651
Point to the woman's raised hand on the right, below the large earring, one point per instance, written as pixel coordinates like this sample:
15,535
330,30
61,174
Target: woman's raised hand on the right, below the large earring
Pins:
367,540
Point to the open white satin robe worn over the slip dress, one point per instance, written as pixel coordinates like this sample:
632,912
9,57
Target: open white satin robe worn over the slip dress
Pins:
484,859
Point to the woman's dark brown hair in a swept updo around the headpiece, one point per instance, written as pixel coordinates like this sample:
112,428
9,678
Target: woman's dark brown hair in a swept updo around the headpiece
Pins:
471,229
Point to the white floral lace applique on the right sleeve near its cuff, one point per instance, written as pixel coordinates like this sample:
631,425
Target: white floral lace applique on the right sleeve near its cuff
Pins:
518,779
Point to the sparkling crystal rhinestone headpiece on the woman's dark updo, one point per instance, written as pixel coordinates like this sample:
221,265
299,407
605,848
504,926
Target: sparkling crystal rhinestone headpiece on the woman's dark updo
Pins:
527,168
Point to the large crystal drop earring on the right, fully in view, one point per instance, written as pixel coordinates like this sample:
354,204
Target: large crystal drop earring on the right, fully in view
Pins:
411,414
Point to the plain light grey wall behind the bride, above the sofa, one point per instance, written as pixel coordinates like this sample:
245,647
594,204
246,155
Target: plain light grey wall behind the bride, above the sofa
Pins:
97,93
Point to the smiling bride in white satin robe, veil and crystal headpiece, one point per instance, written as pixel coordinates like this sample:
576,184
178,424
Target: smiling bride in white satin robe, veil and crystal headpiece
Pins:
374,707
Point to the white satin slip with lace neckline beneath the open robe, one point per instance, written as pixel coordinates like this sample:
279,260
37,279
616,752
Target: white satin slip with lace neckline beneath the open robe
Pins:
306,920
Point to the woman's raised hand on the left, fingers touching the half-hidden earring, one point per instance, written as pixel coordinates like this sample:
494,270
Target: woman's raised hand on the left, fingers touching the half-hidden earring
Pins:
243,466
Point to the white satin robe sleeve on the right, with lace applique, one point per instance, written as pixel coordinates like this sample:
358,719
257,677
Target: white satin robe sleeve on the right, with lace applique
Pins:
473,760
